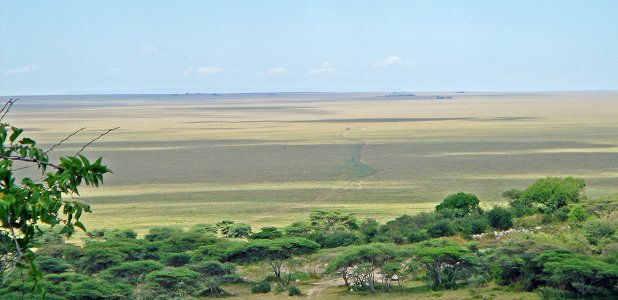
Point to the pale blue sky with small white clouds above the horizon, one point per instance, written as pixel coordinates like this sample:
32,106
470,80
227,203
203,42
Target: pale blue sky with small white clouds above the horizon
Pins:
90,47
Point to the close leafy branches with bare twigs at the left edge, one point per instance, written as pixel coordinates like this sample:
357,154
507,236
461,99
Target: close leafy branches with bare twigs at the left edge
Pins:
28,203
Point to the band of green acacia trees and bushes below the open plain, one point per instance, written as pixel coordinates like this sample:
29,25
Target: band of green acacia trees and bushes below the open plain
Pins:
561,246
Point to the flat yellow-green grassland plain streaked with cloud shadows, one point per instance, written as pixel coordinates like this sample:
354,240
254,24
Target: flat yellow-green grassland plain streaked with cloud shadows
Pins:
270,159
